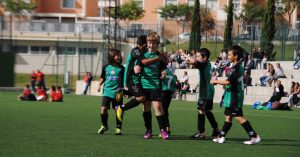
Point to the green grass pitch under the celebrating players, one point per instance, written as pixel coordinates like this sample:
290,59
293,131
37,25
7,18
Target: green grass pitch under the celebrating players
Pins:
68,129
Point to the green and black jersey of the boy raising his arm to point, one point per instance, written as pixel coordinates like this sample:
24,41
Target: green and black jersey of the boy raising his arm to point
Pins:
206,89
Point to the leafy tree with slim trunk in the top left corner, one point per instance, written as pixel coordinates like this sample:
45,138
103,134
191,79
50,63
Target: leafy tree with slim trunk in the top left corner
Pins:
16,8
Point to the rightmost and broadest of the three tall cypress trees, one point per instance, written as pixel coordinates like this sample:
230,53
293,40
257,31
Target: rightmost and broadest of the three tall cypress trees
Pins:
268,30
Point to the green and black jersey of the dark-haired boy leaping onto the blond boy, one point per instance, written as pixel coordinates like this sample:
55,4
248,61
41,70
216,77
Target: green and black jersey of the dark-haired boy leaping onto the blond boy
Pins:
134,58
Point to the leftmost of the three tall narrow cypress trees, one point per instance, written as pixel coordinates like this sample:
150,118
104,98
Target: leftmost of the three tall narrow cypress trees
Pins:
195,37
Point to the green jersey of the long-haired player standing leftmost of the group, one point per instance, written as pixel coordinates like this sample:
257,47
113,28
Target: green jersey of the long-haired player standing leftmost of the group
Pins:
113,79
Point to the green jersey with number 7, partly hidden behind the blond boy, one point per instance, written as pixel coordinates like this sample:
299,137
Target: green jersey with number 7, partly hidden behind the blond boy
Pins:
169,82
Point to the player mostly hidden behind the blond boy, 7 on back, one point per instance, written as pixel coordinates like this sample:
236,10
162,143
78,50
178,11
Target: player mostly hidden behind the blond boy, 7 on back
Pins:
168,87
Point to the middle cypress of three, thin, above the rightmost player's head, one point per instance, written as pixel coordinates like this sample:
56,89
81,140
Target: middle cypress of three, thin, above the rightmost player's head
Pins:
228,27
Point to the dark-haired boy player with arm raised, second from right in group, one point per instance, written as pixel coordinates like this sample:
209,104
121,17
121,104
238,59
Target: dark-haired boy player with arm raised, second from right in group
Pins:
206,93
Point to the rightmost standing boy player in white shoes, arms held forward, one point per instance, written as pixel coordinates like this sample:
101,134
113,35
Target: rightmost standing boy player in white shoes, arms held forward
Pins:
234,97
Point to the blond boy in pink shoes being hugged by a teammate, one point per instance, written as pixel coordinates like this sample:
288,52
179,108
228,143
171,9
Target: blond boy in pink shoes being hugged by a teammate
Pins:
151,76
